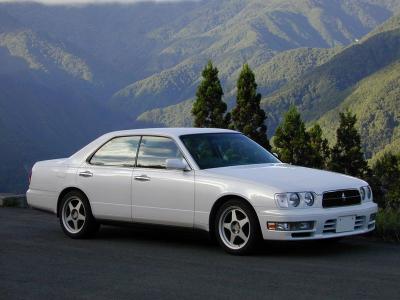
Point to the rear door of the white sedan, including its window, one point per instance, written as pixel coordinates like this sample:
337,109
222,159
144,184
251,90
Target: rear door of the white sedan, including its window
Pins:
106,178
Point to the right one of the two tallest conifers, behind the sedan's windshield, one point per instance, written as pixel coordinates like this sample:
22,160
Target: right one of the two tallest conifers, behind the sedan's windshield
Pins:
248,117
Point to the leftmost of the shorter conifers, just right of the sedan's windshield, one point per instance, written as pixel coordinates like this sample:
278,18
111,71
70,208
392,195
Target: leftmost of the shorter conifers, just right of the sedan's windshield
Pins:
291,140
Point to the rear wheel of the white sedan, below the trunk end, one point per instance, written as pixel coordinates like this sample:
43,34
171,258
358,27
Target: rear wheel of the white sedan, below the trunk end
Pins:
76,217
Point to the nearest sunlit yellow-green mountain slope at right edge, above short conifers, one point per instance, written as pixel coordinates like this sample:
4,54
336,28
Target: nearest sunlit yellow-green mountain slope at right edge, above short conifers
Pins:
376,102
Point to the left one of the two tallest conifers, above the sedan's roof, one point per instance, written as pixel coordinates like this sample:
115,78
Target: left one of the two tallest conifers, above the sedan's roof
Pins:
209,108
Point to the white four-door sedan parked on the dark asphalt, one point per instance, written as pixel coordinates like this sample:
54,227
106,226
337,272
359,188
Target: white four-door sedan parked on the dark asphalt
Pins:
210,179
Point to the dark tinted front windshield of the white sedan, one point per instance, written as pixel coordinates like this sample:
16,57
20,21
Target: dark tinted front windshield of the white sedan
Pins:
215,150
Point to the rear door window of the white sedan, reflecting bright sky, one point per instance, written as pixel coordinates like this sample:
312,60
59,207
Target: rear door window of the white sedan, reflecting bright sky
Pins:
120,152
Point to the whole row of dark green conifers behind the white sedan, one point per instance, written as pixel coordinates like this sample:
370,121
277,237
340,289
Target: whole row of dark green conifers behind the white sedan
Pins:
293,142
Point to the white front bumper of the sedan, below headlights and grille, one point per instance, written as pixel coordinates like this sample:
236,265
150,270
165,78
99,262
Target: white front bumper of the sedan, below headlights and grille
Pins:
325,220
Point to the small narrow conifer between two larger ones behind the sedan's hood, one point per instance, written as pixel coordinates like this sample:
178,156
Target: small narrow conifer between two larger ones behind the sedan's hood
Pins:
319,147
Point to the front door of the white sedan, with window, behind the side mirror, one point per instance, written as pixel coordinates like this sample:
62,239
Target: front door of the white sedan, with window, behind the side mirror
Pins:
159,195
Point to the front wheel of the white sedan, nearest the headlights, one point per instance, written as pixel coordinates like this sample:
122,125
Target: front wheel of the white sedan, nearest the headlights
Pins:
236,228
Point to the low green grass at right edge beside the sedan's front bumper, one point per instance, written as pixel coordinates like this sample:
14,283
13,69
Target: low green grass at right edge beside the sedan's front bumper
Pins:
388,224
